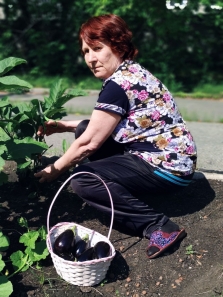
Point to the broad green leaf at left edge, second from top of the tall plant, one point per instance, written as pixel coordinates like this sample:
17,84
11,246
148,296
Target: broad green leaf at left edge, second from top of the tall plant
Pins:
12,81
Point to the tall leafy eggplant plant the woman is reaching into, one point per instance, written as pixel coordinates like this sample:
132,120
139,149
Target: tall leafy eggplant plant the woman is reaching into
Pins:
19,122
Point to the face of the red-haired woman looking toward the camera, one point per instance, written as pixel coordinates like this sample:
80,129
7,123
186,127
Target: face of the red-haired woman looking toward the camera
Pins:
100,59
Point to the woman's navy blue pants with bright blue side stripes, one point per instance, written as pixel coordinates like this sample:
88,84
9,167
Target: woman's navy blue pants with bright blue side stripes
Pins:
128,177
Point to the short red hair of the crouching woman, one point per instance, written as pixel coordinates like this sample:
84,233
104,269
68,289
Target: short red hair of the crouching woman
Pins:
111,30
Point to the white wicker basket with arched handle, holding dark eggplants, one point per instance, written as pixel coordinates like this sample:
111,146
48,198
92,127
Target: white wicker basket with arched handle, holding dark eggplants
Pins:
88,273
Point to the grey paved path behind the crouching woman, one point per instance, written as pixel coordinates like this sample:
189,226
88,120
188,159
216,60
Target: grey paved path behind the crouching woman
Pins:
208,134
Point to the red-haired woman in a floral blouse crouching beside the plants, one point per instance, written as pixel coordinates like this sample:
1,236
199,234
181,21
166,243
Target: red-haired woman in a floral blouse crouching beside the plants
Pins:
136,139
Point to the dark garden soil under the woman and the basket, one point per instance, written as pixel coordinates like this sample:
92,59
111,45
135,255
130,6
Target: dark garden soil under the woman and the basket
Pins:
193,267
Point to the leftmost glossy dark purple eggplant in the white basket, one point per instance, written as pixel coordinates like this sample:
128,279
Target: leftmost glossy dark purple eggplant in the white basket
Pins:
64,242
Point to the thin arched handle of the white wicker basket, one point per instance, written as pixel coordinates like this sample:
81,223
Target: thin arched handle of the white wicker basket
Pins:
85,172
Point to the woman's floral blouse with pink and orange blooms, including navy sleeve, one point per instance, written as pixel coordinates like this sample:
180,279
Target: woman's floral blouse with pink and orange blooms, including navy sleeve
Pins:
151,125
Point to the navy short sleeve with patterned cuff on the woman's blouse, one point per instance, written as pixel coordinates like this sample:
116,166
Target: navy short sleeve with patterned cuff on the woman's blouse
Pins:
113,99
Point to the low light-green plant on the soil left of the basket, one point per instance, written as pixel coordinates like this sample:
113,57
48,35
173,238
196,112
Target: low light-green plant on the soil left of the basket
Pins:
35,250
